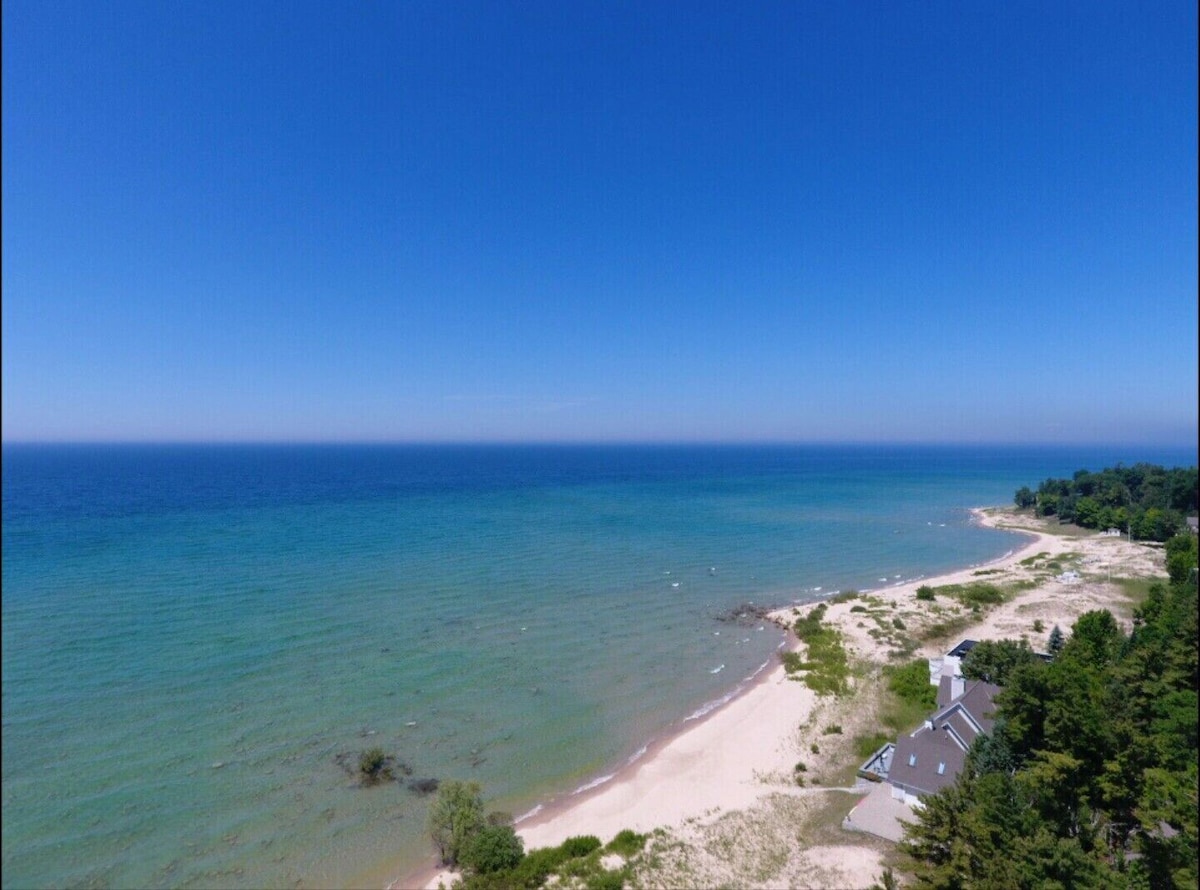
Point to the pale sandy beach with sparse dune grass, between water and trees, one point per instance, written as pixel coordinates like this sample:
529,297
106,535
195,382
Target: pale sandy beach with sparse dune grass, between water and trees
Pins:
730,775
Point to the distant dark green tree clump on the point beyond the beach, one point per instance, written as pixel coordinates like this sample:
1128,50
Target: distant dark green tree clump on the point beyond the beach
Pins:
1147,501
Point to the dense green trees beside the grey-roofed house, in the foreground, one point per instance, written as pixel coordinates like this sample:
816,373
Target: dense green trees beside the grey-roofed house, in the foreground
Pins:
1089,779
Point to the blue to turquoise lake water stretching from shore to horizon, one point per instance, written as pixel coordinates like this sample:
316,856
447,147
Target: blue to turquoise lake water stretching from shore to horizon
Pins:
193,636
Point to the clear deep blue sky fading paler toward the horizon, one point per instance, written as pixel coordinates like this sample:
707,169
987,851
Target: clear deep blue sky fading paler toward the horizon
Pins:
572,221
